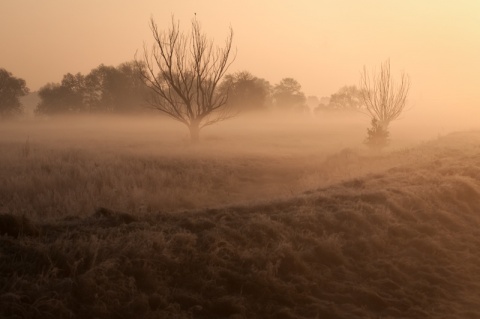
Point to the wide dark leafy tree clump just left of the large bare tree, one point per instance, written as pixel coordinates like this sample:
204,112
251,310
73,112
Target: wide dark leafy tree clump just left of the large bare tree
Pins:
106,89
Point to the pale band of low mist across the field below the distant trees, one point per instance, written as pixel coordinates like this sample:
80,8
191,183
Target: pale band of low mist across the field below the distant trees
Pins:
245,132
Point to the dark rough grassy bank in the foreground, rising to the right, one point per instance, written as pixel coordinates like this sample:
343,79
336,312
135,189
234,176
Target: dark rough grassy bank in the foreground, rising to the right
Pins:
401,242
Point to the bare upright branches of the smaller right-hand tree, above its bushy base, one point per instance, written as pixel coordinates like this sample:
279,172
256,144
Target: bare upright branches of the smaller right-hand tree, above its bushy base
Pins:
383,98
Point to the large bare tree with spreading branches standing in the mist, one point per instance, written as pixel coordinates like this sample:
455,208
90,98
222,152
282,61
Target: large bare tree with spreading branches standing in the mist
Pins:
183,72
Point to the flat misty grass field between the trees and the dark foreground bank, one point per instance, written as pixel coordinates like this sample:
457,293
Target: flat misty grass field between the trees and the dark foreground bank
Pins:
70,167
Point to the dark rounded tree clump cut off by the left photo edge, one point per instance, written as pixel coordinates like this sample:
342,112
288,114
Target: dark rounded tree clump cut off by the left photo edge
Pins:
11,89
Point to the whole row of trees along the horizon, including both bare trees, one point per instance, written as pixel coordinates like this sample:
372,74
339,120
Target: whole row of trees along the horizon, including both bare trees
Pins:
184,76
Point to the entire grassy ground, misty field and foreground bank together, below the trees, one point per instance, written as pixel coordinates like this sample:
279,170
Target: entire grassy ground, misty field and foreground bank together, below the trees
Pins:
264,219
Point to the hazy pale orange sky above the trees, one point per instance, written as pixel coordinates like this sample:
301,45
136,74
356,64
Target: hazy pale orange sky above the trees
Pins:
323,44
